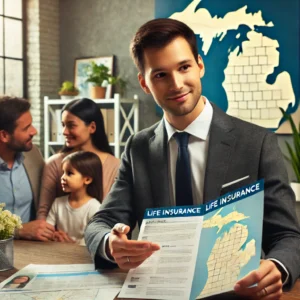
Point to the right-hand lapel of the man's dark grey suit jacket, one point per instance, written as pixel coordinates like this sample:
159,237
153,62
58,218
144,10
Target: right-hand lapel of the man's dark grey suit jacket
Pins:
221,145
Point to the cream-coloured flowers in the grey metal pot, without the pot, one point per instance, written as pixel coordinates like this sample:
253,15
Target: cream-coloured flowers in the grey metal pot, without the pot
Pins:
8,223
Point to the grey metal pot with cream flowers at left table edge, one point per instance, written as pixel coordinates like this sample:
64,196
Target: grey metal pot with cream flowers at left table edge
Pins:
8,223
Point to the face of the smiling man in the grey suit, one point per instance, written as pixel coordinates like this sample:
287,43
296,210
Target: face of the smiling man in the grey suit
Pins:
172,76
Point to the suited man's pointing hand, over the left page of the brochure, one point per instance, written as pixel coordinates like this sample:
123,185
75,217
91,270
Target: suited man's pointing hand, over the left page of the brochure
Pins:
126,253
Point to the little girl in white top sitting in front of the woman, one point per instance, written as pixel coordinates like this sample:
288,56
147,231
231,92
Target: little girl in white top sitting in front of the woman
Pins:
82,179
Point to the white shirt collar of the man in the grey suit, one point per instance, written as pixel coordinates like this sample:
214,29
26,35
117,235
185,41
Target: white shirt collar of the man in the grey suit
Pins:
199,127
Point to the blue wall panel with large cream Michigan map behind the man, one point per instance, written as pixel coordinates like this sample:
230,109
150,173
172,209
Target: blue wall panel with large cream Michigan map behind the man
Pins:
251,54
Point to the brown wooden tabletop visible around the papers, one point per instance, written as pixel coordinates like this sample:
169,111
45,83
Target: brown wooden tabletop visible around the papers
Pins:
28,252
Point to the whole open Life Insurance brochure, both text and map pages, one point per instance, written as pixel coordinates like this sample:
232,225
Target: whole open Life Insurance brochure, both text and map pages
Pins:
205,249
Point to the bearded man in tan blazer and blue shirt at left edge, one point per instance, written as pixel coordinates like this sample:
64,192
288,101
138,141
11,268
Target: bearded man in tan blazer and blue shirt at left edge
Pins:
21,166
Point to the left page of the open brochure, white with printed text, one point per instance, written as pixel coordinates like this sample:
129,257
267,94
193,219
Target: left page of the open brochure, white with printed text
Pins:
169,272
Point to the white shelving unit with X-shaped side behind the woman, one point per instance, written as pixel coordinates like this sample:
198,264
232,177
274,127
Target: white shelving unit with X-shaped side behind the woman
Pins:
123,119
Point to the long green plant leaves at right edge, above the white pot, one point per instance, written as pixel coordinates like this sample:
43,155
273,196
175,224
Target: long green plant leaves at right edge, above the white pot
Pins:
294,152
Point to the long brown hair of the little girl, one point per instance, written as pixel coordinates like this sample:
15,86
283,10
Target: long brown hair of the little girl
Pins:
88,164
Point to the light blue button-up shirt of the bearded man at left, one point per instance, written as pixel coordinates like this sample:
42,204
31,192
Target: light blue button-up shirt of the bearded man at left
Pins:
15,188
